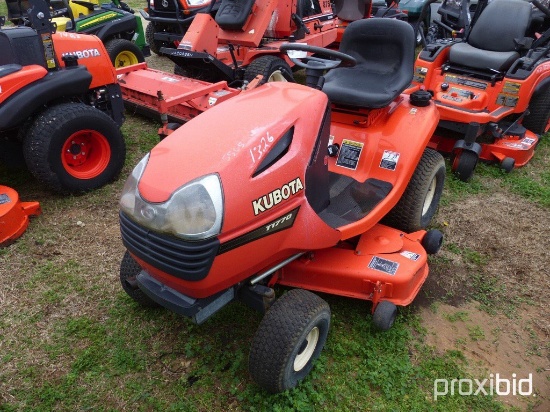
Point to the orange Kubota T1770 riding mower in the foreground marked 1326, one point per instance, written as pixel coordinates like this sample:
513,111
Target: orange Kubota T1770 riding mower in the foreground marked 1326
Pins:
288,185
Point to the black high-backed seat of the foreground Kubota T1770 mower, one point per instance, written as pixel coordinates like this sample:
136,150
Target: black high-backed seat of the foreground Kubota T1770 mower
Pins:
384,50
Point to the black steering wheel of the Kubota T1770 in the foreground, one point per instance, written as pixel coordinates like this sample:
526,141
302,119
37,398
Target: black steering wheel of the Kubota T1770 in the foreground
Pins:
334,58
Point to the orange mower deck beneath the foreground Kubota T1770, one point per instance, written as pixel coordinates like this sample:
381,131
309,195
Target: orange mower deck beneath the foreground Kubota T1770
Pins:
386,264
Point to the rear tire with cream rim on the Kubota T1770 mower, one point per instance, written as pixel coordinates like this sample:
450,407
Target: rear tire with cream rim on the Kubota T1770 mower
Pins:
420,201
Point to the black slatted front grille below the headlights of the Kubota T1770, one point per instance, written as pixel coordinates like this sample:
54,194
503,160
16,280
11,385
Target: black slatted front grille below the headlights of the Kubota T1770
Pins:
184,259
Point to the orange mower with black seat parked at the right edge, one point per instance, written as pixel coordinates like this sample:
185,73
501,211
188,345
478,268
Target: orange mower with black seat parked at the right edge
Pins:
492,87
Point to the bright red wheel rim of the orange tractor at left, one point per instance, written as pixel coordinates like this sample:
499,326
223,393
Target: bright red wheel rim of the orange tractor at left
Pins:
86,154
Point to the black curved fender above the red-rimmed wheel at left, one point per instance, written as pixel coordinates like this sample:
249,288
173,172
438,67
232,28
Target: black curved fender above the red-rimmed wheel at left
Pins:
23,104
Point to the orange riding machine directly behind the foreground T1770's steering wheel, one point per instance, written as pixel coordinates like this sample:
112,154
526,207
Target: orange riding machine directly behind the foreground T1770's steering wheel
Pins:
243,39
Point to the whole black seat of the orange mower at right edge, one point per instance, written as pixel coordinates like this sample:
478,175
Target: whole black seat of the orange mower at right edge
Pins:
495,38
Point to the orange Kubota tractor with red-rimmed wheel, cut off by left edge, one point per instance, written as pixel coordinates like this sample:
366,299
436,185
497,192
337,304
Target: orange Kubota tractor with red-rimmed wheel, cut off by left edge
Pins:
61,101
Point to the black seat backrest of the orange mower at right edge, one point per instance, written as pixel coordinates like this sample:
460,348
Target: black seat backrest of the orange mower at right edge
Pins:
500,24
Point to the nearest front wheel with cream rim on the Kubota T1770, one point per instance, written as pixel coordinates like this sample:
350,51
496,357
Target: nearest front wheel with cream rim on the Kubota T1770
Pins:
289,339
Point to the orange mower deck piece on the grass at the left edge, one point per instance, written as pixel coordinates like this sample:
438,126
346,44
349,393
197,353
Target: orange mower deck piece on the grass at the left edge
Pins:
14,215
